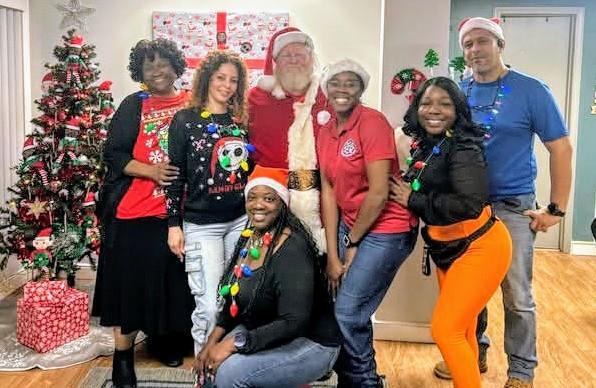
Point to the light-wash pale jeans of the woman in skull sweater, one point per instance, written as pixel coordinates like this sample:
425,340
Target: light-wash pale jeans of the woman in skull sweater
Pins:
208,250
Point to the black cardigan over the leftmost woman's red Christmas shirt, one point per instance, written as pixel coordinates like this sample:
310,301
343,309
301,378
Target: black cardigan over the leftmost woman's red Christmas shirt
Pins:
122,135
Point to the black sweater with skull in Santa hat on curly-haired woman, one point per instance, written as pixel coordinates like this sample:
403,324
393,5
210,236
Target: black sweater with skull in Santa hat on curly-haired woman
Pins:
215,188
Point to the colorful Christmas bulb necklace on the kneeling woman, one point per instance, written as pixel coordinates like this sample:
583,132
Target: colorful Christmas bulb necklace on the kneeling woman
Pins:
252,251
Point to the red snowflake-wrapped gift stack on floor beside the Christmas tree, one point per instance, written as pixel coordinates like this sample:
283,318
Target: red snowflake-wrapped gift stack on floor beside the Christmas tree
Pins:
51,314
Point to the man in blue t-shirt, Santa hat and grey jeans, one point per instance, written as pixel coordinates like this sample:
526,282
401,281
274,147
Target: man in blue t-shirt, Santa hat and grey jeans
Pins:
513,107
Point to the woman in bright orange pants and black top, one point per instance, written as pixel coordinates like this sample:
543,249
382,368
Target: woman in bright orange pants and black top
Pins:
447,186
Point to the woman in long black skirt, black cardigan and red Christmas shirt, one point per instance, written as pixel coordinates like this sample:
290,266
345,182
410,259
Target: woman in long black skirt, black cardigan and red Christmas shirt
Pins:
140,283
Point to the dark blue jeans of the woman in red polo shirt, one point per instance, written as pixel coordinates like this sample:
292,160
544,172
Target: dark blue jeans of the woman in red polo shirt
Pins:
377,260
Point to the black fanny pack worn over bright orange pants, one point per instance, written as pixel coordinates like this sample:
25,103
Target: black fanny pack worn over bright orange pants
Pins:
444,253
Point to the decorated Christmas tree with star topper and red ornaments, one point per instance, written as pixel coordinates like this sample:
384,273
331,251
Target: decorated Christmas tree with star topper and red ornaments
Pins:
49,223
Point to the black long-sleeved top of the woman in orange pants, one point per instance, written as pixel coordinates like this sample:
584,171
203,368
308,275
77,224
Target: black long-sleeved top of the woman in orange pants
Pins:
454,184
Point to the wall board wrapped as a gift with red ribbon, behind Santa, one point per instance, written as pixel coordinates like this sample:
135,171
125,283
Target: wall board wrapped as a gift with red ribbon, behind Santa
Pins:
198,33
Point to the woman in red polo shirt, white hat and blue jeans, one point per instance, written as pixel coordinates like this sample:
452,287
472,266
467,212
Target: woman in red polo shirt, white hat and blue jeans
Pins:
368,237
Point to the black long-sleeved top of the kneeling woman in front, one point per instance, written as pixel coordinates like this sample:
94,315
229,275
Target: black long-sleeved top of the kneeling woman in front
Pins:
293,301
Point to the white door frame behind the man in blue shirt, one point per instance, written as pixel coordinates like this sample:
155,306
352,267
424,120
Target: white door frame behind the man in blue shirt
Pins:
573,95
